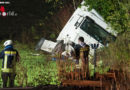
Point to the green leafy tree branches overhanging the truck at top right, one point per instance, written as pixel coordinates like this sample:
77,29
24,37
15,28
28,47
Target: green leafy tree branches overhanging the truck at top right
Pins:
114,11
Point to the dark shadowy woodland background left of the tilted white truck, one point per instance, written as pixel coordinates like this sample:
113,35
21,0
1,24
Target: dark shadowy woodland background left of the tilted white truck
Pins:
36,19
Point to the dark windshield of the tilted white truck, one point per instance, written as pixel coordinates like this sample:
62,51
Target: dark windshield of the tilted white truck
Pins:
97,32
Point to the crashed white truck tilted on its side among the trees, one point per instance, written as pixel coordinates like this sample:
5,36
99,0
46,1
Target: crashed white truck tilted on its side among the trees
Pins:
85,23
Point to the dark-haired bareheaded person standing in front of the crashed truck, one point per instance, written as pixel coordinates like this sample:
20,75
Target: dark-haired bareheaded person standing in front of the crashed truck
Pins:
82,52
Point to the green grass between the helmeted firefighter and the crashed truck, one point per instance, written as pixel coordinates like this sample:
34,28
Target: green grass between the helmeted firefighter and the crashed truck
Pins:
33,70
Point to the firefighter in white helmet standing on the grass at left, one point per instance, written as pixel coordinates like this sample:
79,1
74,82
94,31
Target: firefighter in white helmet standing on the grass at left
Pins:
10,56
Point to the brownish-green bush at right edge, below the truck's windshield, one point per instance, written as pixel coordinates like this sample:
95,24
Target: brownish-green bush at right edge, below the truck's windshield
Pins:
117,55
